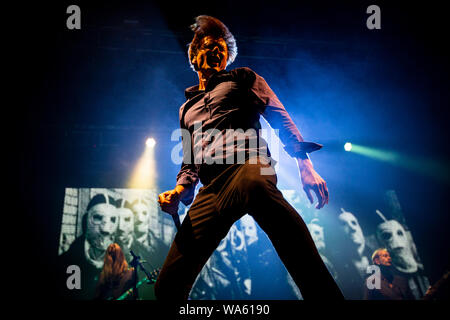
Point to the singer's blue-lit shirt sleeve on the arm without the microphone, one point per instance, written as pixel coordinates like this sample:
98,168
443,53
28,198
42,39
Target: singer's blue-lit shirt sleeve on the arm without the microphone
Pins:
278,118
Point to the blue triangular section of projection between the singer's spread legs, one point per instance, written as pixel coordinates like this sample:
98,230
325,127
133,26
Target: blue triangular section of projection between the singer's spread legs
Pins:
243,267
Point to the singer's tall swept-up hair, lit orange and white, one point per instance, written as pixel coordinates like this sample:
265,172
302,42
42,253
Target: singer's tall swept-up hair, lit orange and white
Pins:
209,26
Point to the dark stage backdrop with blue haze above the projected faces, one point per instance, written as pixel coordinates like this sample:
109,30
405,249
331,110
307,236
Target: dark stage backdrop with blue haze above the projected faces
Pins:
87,99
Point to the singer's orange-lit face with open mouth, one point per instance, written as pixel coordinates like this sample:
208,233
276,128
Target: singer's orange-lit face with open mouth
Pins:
212,54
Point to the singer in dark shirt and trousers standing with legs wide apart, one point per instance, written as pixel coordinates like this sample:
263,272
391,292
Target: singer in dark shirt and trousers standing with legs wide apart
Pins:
237,178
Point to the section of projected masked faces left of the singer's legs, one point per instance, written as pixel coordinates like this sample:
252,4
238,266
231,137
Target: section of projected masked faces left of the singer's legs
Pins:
95,218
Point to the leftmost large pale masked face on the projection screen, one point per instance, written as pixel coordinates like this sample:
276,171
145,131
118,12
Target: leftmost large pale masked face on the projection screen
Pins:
102,225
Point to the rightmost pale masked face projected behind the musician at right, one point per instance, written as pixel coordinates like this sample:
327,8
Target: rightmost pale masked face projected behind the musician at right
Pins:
393,236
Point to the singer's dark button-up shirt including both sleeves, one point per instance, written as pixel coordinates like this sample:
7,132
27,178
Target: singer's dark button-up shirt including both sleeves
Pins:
231,100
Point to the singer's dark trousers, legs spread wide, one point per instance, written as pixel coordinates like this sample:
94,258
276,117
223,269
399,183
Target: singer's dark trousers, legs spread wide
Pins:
241,189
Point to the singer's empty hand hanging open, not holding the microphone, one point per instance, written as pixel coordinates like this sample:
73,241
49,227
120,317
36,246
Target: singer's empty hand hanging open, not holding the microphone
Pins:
312,181
